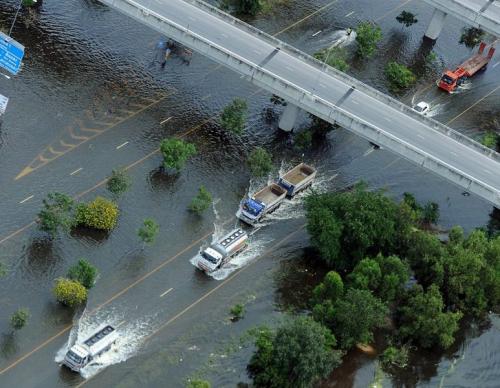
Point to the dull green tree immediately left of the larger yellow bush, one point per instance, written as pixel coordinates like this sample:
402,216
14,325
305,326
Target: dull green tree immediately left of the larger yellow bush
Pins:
57,214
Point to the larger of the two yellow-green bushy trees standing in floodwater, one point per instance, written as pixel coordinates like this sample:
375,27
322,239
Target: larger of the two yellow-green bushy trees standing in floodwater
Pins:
101,214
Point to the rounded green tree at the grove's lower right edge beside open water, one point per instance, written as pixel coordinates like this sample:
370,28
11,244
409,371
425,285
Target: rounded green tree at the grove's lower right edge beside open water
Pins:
423,320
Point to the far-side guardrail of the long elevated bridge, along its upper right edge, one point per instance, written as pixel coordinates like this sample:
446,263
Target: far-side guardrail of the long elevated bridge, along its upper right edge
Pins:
351,81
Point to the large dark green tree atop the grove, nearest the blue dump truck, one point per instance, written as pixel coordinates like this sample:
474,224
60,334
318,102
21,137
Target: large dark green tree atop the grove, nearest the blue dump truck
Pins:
347,227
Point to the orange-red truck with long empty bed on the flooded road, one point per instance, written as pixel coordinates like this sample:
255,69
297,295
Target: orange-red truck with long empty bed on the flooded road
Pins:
451,79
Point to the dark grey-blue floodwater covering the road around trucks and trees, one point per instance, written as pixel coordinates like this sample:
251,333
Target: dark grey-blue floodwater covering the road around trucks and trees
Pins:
91,98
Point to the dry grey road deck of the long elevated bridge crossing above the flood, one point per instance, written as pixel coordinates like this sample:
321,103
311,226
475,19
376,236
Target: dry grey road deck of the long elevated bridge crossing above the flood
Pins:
351,97
